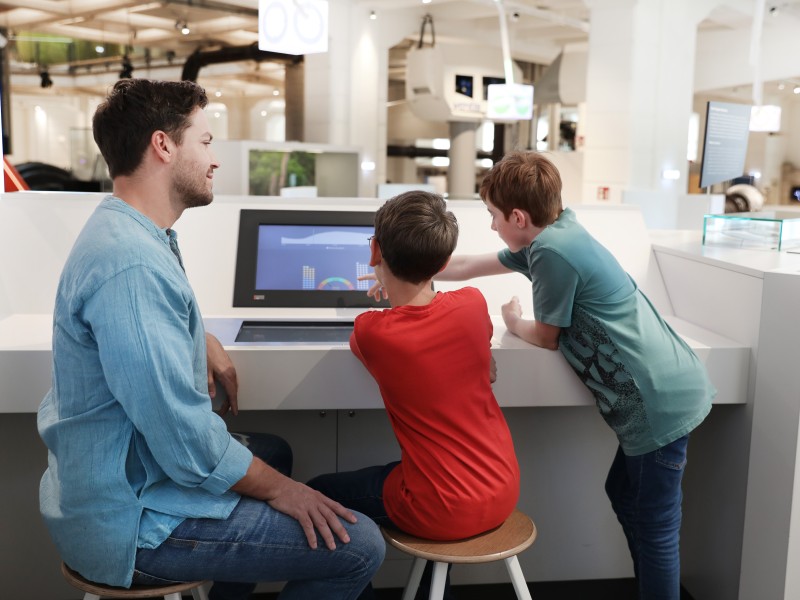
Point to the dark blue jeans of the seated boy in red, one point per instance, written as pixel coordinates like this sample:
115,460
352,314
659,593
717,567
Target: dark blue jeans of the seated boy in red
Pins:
362,490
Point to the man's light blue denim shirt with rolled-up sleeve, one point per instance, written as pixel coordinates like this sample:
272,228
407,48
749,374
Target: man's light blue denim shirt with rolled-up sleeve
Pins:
134,447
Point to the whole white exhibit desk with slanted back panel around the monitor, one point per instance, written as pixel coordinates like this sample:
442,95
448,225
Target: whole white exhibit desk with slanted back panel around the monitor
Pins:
325,403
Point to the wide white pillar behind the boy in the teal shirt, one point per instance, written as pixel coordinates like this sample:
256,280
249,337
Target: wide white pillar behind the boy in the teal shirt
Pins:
639,89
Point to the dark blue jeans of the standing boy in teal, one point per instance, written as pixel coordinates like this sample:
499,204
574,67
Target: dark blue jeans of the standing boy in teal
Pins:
645,493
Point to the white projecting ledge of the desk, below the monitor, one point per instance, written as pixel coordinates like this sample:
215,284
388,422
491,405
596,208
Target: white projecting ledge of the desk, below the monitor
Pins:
328,376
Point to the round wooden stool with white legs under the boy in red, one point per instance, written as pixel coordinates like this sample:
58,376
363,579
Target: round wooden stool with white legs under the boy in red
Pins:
505,542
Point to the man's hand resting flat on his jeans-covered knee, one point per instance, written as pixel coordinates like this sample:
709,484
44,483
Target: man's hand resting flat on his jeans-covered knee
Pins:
314,511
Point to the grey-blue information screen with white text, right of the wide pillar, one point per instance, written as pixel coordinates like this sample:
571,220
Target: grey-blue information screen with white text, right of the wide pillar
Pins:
725,142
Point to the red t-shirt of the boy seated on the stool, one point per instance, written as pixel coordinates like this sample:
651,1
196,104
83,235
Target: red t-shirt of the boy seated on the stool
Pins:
458,474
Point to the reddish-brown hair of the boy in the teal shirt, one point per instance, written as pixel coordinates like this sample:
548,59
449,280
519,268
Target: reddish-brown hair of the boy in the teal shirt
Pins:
527,181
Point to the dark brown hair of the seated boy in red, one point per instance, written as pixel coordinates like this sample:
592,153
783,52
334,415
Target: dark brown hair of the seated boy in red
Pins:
416,235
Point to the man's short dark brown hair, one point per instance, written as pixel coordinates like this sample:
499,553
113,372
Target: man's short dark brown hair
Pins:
135,108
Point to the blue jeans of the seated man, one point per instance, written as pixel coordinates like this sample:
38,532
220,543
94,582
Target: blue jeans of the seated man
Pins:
258,543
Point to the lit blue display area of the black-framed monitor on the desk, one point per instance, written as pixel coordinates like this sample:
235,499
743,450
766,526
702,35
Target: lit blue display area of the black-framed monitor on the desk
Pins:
312,257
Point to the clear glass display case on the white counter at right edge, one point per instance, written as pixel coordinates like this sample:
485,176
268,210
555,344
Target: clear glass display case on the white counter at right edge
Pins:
768,230
